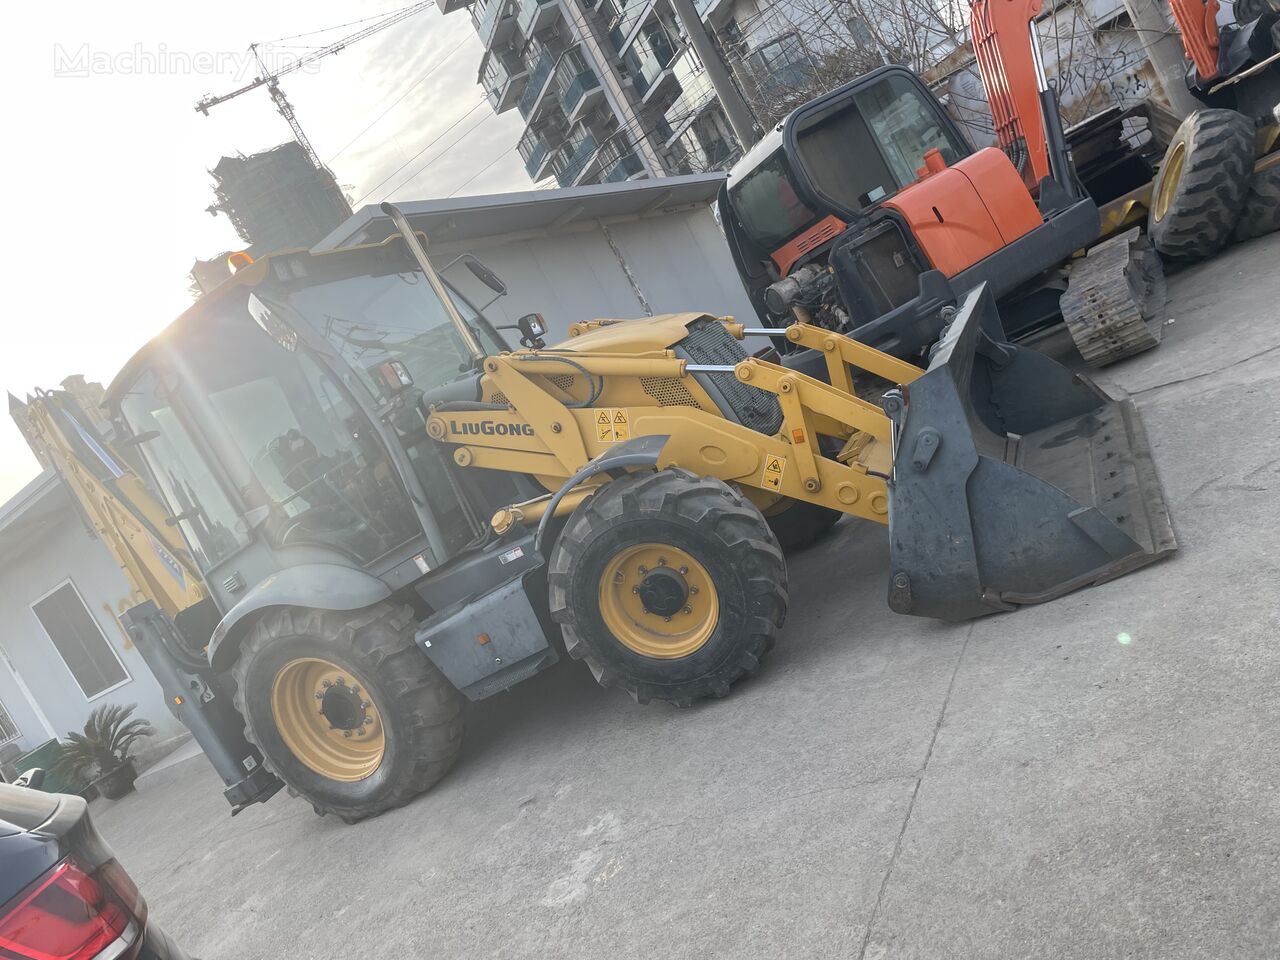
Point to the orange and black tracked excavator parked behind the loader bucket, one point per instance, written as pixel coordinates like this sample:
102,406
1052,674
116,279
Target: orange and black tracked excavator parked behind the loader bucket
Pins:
867,212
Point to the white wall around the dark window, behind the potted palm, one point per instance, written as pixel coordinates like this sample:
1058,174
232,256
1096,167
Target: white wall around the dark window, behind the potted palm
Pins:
67,552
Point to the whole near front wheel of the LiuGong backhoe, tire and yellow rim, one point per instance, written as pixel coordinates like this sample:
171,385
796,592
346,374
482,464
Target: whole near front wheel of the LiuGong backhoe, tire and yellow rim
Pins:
670,587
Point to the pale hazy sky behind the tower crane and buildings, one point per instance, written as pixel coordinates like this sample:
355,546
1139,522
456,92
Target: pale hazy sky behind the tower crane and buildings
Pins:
106,176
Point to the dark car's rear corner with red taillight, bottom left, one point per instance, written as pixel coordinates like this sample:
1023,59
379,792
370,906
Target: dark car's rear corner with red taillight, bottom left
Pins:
63,895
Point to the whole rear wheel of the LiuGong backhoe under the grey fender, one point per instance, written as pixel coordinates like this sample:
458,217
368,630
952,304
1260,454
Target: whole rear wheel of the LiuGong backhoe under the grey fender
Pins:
346,710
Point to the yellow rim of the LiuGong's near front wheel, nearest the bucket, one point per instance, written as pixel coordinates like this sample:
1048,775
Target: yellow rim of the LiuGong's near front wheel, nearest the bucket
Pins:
659,601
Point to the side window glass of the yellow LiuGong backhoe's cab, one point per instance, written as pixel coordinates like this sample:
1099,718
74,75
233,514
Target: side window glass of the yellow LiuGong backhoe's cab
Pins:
235,406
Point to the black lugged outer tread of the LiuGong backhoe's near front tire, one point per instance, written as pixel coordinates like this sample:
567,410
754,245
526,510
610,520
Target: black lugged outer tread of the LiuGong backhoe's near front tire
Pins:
674,493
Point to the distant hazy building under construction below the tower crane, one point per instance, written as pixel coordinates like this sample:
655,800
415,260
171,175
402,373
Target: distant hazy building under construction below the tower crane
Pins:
278,199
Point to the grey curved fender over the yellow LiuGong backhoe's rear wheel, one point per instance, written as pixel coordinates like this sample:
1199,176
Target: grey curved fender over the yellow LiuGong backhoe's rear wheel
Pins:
326,587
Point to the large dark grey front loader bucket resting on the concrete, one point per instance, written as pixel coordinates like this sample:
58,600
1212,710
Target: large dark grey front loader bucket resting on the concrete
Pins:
1014,481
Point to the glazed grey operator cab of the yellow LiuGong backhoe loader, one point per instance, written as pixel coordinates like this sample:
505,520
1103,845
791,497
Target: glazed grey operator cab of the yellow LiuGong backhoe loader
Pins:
269,424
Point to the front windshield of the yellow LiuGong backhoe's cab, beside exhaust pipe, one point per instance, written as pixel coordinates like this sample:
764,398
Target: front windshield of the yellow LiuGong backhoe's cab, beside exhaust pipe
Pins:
372,321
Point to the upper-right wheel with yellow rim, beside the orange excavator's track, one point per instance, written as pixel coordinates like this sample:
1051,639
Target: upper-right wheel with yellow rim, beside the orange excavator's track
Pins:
1201,186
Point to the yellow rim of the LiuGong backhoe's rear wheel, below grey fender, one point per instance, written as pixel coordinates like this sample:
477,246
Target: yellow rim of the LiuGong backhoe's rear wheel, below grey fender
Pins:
328,720
